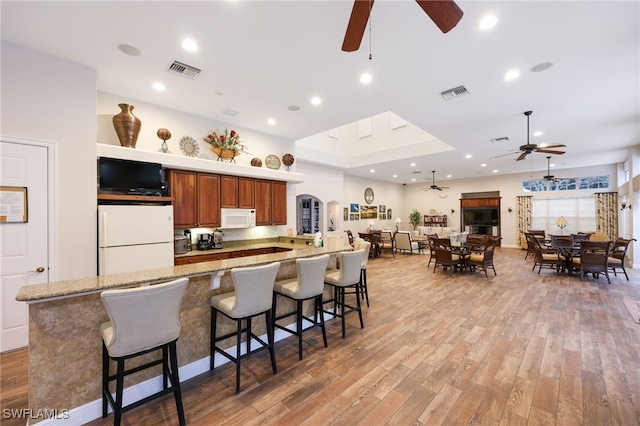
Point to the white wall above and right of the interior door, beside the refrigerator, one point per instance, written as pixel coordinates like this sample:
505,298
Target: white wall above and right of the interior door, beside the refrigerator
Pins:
49,99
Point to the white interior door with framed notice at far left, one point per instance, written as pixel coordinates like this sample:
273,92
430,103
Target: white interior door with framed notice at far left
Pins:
23,246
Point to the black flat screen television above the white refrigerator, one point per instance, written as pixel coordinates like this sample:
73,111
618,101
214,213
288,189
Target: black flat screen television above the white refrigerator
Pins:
130,177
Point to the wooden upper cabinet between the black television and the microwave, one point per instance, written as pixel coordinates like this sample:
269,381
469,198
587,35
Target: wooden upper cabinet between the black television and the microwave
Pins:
196,199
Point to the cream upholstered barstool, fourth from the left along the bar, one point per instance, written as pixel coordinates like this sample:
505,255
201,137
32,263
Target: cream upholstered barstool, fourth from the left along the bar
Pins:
348,276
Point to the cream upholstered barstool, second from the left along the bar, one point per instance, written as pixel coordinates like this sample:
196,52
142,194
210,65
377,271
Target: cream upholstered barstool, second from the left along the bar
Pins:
253,296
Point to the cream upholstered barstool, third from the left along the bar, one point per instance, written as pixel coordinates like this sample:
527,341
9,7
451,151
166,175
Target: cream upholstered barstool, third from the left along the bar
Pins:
309,284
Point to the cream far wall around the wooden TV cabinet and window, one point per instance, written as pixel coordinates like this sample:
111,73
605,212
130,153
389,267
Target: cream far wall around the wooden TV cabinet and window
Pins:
510,187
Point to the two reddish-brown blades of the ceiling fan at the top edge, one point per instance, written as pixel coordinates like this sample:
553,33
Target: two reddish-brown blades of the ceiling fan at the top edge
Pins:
444,13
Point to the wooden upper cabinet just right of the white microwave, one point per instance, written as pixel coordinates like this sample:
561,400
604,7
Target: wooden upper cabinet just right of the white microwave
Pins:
271,202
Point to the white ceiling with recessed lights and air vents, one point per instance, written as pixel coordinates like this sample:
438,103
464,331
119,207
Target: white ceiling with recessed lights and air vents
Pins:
260,57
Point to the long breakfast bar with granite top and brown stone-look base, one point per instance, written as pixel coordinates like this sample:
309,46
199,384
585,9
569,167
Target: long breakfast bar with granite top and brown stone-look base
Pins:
65,343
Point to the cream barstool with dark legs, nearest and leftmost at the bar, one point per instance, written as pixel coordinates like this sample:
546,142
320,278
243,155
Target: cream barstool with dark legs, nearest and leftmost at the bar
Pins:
142,320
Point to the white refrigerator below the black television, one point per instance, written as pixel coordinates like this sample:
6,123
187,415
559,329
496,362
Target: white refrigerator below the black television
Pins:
134,238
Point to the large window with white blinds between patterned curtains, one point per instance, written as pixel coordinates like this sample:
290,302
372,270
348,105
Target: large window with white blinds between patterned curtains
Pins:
579,212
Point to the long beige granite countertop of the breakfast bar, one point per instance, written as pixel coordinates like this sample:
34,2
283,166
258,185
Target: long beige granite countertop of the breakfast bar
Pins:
78,287
